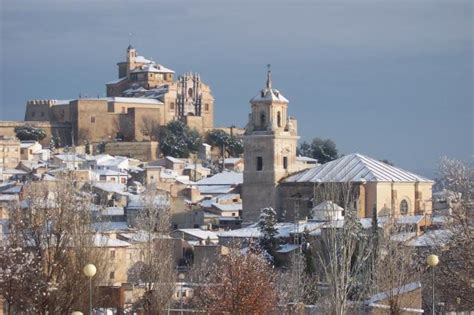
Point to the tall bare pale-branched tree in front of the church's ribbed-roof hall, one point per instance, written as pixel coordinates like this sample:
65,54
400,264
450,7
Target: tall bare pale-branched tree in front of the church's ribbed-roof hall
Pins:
344,252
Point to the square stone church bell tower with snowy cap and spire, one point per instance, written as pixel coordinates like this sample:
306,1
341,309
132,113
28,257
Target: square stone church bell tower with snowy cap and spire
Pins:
270,143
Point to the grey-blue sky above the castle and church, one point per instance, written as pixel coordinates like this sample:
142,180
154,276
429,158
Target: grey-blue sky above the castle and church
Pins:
390,79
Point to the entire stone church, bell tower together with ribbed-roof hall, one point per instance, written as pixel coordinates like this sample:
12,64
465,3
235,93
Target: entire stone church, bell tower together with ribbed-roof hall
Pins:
275,177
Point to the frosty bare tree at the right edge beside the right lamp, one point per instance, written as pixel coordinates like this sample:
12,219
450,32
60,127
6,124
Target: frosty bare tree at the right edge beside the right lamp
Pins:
456,267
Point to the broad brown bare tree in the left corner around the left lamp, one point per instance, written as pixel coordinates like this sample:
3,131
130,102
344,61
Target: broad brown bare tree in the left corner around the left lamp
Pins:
50,240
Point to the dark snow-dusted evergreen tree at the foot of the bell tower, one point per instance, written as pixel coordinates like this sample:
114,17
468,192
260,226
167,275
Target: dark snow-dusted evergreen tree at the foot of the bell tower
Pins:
269,241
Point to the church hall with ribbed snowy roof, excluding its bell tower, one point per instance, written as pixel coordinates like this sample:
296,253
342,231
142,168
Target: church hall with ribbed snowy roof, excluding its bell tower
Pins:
372,185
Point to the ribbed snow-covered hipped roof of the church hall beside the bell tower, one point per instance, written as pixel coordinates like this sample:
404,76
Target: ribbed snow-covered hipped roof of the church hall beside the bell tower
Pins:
355,168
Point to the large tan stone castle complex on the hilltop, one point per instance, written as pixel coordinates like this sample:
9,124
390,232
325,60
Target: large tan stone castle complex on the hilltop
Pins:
144,97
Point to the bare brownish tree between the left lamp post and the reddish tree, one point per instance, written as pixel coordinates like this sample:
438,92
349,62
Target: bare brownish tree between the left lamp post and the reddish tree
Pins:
154,270
